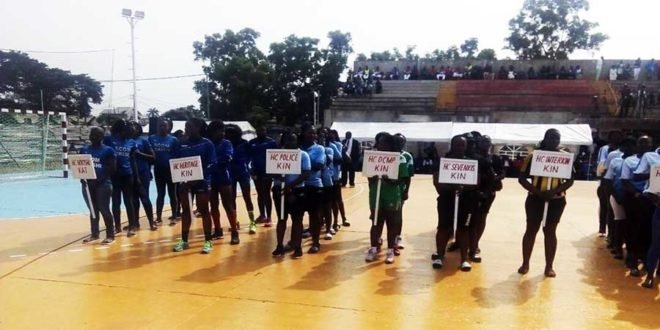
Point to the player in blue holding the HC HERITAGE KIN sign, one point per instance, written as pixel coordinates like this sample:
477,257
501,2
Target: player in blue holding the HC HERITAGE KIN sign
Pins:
194,144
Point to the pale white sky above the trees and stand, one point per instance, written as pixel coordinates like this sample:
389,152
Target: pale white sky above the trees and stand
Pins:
164,38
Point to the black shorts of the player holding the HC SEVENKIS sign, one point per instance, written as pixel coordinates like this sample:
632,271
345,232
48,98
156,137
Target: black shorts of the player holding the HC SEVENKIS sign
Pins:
467,204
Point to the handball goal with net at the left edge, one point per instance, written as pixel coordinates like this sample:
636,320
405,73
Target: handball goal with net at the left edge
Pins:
33,143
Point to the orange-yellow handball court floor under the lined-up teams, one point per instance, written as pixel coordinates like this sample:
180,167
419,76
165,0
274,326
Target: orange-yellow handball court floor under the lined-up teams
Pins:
50,280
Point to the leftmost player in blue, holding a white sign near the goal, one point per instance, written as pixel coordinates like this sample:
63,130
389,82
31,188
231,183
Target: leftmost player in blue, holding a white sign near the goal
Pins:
105,164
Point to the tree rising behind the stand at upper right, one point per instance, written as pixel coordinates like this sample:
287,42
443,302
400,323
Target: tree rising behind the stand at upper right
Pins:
552,29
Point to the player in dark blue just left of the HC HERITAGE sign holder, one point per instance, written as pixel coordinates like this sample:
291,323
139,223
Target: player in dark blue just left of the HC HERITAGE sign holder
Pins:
164,145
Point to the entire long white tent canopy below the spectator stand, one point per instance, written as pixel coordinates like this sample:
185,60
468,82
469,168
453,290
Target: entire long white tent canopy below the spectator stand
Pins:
500,133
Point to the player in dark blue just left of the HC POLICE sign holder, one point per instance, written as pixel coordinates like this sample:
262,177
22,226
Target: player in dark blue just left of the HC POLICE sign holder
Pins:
262,181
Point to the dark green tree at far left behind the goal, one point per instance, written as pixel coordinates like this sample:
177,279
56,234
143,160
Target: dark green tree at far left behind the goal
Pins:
23,79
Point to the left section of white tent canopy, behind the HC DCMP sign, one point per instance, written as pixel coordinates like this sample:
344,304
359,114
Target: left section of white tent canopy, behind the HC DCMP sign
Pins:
414,132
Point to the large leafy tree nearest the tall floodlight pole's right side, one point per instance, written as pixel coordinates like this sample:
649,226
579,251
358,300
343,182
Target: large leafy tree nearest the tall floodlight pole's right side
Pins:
239,75
